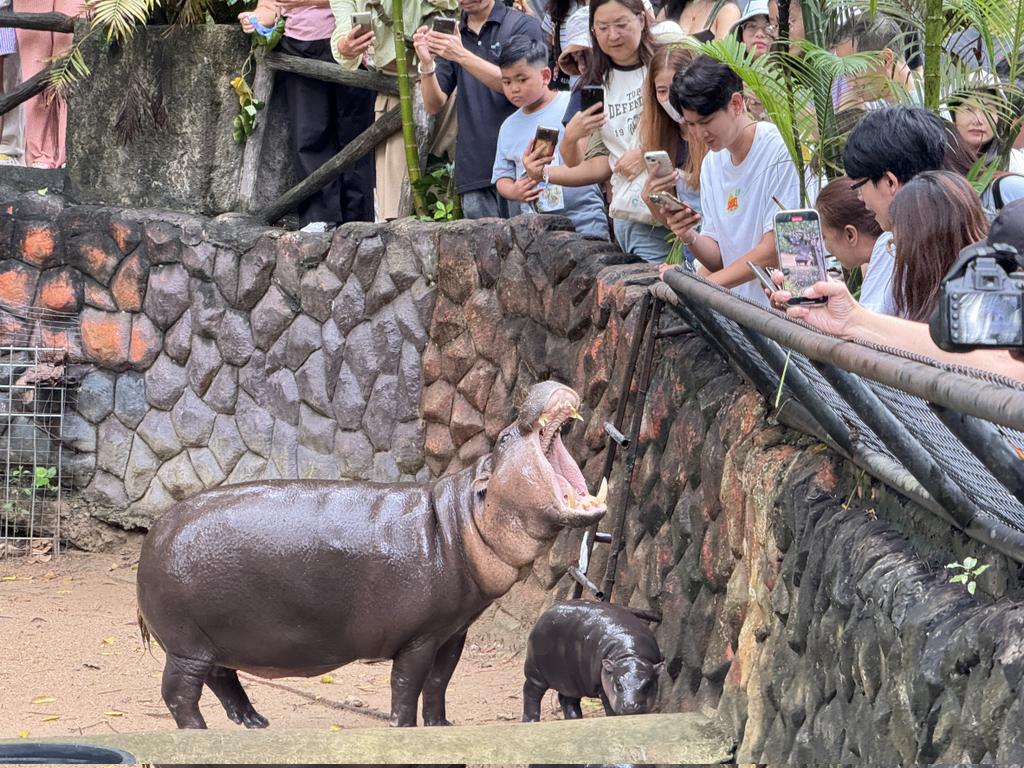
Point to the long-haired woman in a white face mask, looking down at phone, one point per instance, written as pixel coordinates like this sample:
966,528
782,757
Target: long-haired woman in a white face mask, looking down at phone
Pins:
662,129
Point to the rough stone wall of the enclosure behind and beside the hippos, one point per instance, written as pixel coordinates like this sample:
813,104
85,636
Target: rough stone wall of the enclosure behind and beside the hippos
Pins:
804,604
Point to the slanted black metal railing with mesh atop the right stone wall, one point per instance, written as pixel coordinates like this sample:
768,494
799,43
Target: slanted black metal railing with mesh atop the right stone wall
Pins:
950,438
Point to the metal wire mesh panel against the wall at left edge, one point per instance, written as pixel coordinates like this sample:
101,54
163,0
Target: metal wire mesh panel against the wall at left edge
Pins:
32,405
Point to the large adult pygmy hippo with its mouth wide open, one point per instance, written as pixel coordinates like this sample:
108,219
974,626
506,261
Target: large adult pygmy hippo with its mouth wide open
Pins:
296,578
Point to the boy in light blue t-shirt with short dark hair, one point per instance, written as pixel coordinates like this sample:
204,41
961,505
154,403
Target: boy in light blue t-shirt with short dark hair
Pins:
526,75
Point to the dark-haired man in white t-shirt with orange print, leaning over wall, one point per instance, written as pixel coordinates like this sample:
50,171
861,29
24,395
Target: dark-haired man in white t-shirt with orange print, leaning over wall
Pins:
745,180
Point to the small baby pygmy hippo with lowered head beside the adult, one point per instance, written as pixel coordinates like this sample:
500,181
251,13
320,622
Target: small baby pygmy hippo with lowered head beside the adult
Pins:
585,649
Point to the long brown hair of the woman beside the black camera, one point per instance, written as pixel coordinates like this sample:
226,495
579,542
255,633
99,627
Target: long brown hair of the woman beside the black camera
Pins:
934,217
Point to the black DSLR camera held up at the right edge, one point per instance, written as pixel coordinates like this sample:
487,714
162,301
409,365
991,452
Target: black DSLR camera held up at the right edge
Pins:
982,302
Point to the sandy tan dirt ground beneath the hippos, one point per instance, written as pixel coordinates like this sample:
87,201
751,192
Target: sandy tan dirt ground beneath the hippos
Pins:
73,663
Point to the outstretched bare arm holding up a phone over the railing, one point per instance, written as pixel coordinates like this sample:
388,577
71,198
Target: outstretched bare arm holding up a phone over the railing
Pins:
843,317
